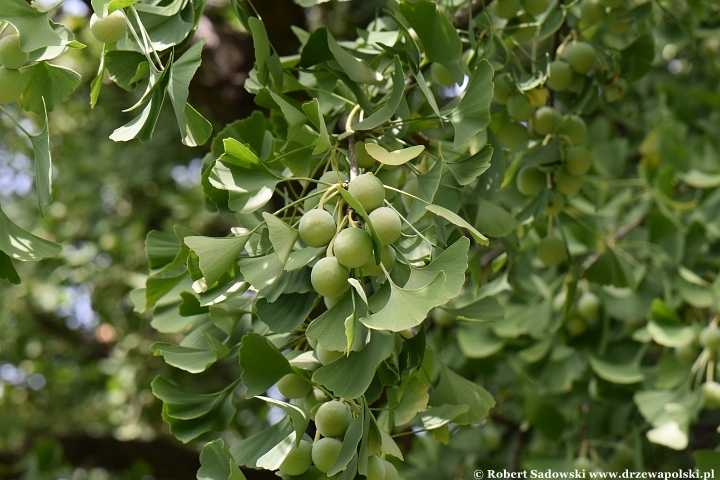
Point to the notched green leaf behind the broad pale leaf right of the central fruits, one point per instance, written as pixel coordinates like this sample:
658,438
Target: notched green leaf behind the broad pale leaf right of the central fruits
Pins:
452,262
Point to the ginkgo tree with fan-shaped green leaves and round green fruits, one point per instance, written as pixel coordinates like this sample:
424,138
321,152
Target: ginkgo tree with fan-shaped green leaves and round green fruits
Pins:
463,181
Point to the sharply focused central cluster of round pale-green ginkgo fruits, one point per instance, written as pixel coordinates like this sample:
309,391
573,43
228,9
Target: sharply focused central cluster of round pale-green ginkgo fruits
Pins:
347,238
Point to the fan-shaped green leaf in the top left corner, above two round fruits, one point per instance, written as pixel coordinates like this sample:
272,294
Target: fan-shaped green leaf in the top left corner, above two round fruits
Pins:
33,26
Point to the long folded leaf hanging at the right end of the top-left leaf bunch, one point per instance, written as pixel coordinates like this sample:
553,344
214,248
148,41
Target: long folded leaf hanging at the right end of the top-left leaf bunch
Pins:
194,128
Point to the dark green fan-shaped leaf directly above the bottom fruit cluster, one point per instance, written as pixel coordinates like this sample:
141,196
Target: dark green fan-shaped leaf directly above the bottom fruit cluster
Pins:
350,376
